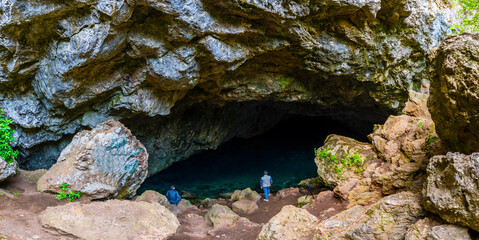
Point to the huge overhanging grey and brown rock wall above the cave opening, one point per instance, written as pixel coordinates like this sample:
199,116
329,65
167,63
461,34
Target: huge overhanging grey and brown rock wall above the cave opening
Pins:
69,65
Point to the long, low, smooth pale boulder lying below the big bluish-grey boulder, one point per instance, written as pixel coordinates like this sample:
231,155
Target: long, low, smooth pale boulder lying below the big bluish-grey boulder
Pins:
110,220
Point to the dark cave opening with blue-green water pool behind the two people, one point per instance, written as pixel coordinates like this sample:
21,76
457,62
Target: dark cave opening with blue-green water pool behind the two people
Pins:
285,151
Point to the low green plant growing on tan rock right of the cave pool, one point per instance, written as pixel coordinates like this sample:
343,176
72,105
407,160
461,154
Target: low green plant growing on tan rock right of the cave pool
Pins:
338,164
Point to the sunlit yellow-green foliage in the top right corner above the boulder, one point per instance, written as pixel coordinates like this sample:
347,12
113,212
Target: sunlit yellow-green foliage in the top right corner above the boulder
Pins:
469,13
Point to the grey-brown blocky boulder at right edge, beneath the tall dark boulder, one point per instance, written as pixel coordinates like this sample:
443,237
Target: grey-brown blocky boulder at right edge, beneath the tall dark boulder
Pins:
451,189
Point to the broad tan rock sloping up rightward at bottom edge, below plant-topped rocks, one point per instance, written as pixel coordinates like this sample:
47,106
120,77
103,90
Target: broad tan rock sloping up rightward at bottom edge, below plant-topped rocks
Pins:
389,218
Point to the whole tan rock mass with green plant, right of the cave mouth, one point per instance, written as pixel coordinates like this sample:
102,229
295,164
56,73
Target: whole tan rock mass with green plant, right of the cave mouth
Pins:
399,150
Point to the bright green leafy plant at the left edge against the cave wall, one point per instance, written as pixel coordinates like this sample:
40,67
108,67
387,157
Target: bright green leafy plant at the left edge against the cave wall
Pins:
6,137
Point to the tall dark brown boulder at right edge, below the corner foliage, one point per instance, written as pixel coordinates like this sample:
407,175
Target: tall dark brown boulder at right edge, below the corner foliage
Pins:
454,83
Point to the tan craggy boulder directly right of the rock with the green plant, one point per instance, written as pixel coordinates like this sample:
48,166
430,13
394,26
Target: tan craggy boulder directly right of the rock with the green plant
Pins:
405,143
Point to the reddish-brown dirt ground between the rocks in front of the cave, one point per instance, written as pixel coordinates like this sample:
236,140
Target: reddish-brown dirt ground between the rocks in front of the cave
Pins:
19,215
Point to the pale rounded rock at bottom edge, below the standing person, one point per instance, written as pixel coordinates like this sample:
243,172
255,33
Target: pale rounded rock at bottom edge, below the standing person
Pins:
290,223
